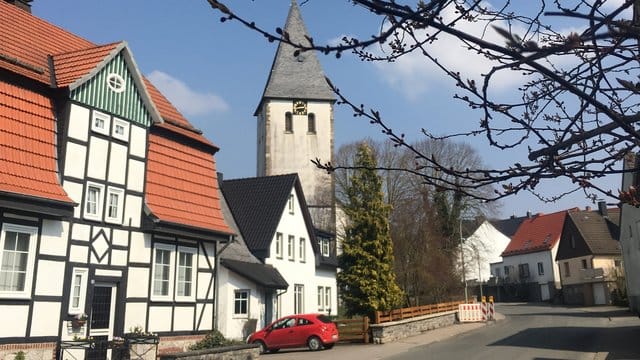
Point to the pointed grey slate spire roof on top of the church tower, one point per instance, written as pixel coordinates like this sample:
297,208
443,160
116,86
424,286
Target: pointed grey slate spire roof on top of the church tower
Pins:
294,77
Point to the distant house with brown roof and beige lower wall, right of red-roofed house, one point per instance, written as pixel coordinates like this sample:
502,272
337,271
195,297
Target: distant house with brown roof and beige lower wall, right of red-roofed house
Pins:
589,256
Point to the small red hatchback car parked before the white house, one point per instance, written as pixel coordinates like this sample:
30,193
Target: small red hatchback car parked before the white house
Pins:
315,331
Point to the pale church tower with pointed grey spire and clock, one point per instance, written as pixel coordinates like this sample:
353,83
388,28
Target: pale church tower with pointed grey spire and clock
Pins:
295,122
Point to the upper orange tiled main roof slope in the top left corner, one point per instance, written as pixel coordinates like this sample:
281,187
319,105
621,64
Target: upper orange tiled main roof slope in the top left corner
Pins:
26,42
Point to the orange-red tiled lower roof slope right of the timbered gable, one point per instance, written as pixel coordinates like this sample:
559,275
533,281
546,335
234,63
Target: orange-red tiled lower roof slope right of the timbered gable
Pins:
182,185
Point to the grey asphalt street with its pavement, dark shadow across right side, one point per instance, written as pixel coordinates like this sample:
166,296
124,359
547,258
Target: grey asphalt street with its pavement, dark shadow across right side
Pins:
532,332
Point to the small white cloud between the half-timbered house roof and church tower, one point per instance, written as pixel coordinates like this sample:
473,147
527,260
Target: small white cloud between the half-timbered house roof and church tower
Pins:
187,100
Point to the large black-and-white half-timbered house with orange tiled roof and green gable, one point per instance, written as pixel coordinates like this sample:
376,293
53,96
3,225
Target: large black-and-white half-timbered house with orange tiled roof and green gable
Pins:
108,198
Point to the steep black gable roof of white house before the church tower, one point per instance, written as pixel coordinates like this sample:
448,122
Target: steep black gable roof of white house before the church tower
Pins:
257,205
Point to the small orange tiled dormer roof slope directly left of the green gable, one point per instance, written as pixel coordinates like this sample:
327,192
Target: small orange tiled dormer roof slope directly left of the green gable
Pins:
73,65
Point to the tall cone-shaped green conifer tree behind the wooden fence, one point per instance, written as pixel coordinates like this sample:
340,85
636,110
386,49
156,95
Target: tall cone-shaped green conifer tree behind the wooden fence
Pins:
367,281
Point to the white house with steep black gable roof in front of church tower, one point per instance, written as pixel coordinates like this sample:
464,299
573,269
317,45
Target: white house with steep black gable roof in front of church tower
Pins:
273,218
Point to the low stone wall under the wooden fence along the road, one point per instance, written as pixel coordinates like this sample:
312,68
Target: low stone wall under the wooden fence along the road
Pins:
395,330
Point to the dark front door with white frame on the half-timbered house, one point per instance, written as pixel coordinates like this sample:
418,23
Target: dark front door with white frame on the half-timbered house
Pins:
101,319
